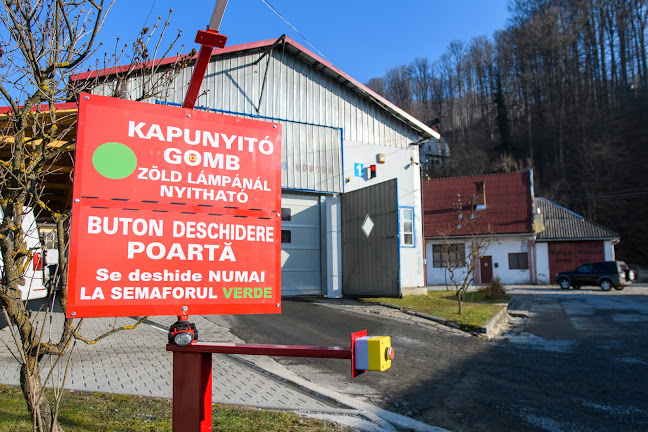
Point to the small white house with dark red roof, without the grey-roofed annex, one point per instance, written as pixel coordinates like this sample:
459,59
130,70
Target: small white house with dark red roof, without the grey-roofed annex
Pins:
496,210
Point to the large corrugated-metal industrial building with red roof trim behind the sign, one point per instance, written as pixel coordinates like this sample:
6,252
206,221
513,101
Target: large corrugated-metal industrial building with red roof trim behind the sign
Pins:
351,186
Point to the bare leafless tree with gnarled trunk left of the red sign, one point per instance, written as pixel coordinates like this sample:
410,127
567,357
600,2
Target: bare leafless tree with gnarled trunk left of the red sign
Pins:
43,44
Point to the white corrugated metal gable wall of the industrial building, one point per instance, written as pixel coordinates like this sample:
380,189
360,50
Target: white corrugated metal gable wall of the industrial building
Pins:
299,96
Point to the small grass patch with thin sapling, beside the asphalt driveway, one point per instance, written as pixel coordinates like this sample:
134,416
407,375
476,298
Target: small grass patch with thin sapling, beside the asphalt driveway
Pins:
477,309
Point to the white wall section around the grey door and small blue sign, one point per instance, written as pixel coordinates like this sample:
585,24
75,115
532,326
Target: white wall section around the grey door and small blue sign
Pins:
398,165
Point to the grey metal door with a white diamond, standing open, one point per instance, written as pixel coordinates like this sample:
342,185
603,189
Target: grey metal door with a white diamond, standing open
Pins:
370,259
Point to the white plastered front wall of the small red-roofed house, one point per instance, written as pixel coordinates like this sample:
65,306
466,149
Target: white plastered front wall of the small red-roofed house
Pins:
499,249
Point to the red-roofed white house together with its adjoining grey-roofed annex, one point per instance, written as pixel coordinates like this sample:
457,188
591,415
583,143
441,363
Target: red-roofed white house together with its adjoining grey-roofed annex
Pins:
528,239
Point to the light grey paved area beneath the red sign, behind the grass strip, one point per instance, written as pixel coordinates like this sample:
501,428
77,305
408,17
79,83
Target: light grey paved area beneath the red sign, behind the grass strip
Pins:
136,362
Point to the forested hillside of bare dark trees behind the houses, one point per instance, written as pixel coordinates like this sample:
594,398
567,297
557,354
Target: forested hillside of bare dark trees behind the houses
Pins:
564,90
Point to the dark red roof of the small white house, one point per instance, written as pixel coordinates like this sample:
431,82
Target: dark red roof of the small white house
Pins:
508,207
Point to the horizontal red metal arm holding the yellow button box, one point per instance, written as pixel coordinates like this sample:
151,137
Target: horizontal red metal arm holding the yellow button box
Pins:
265,349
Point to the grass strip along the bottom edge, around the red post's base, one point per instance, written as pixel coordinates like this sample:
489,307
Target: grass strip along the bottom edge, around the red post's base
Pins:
111,412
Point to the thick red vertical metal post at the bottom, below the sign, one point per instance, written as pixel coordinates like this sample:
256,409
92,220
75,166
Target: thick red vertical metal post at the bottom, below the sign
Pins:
192,392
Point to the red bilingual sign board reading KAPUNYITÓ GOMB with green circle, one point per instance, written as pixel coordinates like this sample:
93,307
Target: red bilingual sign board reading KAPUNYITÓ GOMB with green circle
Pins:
176,212
